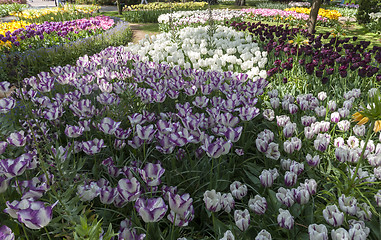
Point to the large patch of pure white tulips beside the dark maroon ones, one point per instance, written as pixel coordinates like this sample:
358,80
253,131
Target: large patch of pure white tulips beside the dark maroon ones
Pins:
232,51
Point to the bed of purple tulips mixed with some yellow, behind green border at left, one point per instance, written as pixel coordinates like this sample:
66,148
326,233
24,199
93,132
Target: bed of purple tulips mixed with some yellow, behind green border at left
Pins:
49,34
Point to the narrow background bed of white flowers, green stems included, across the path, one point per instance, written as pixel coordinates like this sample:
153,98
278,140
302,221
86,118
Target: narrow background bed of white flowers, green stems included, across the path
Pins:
196,18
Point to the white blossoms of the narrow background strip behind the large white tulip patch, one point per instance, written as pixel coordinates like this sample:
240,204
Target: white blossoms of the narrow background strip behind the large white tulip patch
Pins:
199,16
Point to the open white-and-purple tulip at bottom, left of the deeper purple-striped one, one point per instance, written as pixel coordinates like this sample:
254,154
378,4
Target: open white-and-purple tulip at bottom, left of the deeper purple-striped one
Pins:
151,210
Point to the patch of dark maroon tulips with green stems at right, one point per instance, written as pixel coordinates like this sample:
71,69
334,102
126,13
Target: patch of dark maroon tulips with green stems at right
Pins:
295,51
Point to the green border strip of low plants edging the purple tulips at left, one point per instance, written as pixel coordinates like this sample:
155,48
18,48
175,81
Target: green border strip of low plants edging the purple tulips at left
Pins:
16,64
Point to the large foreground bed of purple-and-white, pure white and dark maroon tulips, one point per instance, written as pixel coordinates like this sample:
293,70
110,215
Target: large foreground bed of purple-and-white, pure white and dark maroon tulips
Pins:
232,130
